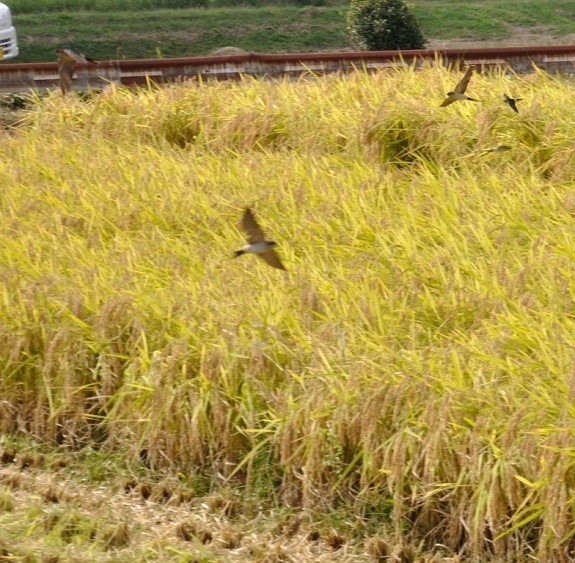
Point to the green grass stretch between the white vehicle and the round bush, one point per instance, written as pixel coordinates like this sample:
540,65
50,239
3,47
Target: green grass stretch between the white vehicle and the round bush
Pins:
172,33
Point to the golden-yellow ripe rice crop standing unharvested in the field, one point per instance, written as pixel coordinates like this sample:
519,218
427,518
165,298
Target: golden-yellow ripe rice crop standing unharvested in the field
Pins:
412,372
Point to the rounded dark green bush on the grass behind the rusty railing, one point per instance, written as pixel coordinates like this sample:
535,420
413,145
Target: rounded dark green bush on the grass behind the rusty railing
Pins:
378,25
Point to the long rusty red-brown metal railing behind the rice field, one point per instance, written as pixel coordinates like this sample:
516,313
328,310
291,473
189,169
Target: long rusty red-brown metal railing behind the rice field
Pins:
17,77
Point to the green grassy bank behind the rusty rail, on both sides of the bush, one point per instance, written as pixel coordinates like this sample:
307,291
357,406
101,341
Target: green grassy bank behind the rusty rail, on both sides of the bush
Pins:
133,30
